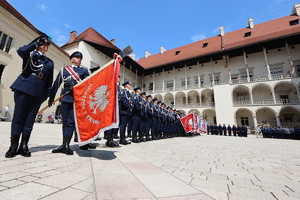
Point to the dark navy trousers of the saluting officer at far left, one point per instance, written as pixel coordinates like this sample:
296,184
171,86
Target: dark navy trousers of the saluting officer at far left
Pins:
26,108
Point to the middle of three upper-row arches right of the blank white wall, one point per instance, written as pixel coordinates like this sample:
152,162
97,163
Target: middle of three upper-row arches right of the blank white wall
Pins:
262,93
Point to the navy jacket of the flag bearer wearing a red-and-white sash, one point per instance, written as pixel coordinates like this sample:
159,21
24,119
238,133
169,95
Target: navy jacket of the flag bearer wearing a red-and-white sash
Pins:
69,82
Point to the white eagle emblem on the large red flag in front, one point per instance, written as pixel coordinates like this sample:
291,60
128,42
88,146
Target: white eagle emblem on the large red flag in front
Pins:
99,100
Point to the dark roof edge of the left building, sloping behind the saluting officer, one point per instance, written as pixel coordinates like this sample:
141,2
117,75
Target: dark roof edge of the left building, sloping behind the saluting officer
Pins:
14,12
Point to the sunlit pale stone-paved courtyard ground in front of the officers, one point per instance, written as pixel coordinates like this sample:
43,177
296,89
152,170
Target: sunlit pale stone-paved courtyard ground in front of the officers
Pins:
201,167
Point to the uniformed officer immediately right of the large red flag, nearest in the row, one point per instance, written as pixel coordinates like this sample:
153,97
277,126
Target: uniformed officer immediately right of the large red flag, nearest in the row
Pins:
125,104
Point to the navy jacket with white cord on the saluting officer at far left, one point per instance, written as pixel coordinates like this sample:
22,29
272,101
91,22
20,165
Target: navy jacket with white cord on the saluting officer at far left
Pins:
37,73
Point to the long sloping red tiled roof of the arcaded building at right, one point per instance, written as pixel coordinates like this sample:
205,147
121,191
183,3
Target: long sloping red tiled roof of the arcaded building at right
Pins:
266,31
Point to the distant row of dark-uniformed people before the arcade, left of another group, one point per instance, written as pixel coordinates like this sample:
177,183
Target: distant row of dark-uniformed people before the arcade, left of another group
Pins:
241,131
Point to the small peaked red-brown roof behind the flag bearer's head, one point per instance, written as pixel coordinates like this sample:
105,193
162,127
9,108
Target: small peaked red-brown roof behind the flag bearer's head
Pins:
91,35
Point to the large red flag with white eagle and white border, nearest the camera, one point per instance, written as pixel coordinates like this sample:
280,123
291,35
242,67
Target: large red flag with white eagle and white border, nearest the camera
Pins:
96,102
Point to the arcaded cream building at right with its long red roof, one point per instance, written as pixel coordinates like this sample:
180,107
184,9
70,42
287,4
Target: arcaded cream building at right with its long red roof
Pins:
245,77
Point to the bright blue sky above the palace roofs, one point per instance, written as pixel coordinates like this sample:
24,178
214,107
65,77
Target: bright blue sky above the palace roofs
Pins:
148,25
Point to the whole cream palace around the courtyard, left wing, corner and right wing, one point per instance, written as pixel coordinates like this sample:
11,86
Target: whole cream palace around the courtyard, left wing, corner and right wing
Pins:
244,77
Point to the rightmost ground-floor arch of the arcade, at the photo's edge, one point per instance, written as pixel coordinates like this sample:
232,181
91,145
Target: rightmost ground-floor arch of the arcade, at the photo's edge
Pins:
289,116
